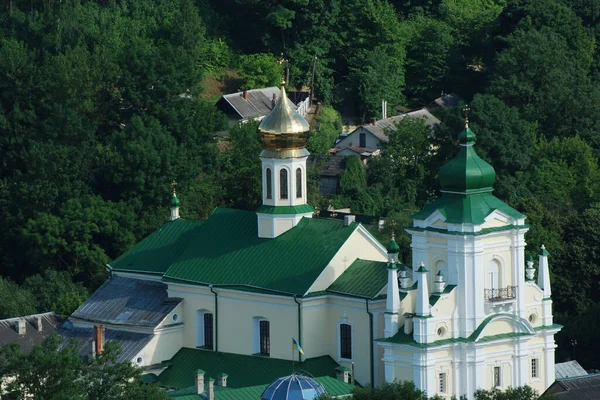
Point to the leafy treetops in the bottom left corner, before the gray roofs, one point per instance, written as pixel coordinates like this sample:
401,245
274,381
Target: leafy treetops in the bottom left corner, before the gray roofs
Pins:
52,371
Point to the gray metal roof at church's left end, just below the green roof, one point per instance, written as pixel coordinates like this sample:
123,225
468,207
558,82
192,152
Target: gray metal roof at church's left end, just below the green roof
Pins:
128,302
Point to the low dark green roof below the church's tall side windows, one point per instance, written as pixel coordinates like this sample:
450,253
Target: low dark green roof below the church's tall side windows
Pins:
243,370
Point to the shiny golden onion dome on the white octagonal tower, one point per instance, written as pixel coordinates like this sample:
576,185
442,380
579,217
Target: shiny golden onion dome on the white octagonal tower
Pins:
283,128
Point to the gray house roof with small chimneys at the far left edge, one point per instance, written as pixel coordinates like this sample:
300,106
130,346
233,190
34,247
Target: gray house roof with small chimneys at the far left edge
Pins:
9,332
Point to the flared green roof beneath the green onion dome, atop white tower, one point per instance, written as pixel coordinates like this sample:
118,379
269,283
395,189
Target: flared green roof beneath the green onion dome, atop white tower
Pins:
466,208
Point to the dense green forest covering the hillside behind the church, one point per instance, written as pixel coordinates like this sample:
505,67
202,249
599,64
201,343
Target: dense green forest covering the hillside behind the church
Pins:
104,102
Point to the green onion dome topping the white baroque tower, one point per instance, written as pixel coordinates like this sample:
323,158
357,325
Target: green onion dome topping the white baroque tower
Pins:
467,172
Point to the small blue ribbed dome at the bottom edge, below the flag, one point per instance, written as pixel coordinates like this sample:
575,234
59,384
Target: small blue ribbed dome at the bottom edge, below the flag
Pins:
293,387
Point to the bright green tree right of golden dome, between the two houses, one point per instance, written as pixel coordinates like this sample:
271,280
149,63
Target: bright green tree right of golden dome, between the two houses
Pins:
326,127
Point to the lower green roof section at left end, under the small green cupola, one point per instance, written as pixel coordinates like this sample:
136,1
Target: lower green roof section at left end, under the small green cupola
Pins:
157,252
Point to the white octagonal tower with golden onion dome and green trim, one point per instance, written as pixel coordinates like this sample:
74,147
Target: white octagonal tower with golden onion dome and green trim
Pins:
284,133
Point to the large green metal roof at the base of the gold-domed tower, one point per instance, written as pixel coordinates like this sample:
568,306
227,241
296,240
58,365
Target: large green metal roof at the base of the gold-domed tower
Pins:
228,251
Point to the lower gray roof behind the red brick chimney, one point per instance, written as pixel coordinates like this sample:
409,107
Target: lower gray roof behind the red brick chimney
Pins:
131,343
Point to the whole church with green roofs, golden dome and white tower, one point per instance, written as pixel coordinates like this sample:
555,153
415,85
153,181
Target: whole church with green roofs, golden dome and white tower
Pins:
223,298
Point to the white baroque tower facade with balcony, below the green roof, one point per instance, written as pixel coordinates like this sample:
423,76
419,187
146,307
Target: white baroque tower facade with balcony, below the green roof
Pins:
489,328
